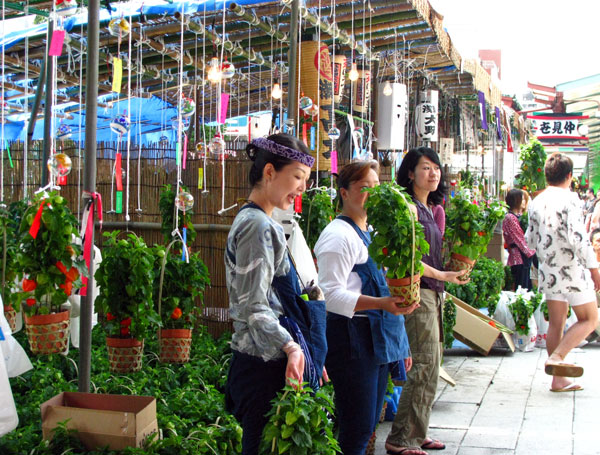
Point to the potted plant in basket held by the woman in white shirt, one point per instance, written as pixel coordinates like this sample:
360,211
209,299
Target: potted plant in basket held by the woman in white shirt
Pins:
399,241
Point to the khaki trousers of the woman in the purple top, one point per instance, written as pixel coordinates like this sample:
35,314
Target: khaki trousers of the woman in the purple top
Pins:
423,328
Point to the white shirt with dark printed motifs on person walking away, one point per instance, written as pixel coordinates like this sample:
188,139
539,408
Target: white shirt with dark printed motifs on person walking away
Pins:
557,233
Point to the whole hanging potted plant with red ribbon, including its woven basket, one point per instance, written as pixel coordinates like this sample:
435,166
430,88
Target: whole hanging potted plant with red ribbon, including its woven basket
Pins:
48,271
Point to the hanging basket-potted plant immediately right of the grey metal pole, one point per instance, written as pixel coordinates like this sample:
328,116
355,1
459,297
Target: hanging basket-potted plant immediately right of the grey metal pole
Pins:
125,277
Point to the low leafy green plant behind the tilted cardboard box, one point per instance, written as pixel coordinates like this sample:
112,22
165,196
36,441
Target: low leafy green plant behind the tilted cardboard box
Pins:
487,280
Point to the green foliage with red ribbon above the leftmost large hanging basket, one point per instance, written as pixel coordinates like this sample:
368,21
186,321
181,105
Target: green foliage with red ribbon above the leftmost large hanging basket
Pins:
47,265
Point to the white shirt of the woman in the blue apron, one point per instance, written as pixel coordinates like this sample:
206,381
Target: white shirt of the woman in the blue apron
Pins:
338,249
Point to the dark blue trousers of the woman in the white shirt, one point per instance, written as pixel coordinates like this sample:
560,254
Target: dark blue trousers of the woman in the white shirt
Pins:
358,381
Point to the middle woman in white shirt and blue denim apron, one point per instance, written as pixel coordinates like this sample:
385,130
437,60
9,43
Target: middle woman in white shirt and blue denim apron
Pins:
365,329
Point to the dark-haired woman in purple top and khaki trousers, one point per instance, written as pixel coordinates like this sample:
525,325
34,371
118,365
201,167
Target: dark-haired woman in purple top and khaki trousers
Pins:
421,175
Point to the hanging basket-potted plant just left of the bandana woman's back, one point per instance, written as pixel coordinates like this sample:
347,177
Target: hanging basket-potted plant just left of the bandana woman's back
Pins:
178,286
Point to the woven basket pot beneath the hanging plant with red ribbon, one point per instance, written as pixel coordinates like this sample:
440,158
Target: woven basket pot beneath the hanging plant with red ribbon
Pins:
48,333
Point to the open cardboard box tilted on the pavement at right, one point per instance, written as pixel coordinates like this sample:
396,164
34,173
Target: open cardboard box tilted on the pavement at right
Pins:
473,328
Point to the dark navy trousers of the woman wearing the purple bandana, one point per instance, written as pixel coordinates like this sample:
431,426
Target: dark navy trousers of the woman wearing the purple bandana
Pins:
251,385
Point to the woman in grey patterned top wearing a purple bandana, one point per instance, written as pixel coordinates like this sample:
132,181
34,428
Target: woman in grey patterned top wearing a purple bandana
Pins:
264,291
